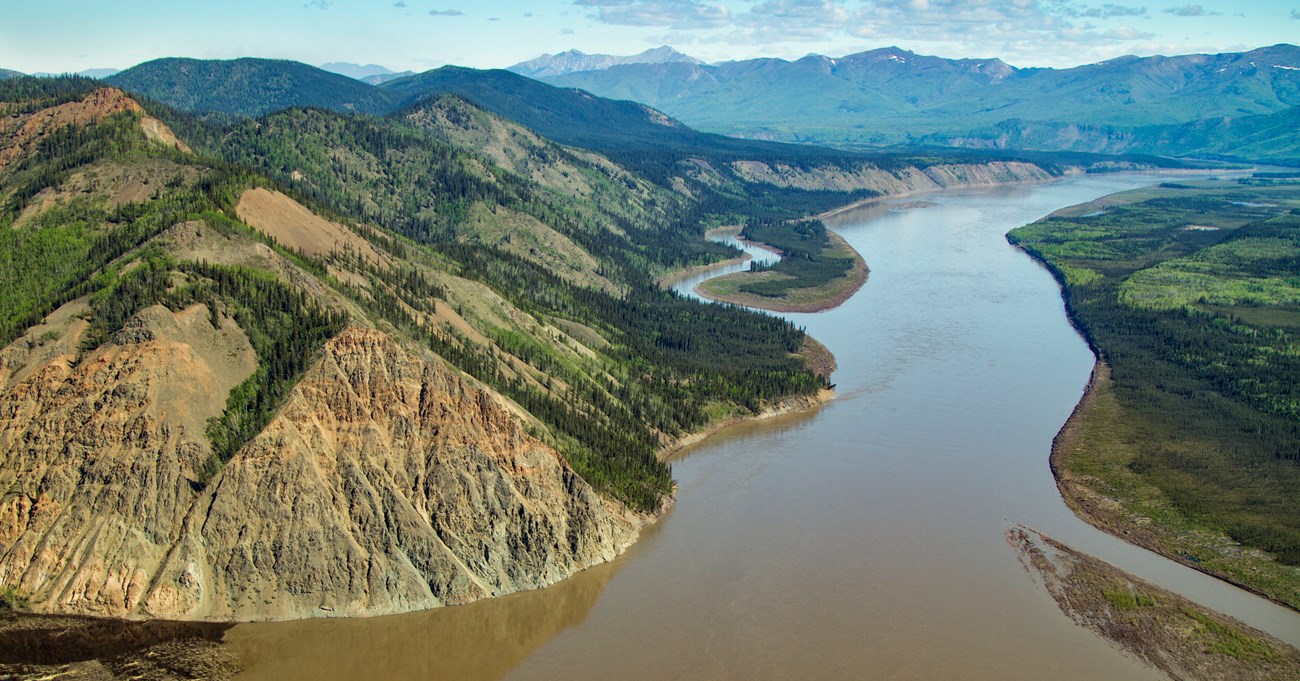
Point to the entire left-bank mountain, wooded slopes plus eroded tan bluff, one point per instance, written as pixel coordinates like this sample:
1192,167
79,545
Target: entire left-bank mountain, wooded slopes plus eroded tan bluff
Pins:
324,363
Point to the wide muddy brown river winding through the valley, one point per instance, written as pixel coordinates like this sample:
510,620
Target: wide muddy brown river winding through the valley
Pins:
860,541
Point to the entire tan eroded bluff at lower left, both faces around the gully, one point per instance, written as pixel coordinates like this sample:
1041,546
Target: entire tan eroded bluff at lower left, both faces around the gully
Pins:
385,484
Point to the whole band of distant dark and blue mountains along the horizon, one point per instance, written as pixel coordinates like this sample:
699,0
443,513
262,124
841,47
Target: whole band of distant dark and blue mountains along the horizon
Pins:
651,114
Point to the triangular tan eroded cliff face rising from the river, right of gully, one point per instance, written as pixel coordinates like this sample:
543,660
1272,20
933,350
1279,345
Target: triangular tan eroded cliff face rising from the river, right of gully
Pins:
387,484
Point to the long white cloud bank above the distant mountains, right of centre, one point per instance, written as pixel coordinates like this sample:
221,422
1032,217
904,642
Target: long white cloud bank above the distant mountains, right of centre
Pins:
1022,32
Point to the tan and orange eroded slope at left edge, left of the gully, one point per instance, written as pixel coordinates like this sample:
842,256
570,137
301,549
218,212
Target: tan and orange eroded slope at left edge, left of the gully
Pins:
98,457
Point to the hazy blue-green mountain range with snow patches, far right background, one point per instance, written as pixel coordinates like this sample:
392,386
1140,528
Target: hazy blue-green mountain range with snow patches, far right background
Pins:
894,97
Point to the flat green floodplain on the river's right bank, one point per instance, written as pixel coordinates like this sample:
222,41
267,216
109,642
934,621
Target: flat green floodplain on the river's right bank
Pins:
1189,294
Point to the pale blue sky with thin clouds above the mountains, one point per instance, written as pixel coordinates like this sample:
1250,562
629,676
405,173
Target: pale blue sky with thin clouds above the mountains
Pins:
71,36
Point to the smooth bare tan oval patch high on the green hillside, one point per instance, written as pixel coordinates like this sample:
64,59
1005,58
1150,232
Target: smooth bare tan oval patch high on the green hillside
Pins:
297,228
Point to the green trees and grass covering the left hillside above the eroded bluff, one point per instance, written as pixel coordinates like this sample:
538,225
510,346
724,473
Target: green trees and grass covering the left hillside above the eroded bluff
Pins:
644,366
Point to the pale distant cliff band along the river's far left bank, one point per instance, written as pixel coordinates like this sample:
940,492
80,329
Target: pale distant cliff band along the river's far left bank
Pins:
908,180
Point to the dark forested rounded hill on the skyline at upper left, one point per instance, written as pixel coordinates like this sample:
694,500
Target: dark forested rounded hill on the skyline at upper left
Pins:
248,86
